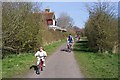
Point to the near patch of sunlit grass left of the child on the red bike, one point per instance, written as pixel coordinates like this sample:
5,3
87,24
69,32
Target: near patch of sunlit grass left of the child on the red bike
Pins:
16,64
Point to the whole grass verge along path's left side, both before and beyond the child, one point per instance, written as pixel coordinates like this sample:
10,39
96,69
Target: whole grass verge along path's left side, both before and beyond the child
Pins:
18,64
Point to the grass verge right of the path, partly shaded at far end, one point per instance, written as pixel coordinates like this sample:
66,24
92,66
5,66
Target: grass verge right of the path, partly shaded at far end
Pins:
95,65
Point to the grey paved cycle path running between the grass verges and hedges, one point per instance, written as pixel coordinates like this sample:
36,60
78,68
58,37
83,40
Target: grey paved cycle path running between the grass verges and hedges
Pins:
60,64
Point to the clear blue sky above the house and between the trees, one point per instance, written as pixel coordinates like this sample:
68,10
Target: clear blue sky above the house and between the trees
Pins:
76,10
